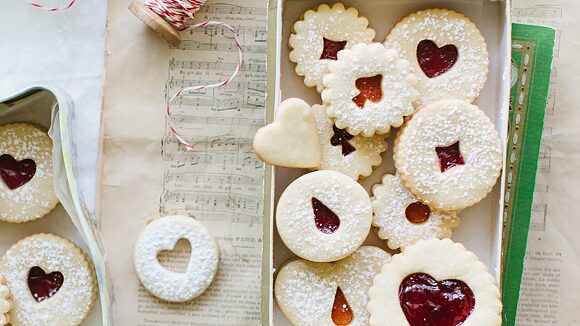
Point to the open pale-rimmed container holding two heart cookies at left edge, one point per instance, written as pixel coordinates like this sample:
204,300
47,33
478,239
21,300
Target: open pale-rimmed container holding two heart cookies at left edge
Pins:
50,109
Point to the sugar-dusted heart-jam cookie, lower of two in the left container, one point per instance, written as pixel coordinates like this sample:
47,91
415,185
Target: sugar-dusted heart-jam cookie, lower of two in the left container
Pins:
52,281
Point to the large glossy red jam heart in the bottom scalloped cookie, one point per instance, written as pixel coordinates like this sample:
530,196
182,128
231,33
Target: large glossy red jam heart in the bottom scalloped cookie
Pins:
427,302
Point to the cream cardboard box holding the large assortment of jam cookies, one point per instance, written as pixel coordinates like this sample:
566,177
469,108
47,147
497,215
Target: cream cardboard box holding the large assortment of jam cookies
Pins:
481,225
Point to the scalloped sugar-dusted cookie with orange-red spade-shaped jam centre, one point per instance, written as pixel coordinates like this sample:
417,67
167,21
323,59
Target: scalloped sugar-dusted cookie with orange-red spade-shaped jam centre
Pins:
369,89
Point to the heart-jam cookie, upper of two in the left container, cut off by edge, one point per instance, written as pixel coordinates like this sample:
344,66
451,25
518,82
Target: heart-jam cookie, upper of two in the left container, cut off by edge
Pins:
26,174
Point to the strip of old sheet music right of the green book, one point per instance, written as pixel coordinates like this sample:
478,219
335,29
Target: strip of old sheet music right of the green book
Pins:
550,287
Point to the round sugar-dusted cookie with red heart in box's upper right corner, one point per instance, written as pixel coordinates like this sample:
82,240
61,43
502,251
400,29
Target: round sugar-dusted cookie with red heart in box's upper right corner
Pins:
447,52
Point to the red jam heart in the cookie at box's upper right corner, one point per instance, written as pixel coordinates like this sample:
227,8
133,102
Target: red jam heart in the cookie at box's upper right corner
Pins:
434,60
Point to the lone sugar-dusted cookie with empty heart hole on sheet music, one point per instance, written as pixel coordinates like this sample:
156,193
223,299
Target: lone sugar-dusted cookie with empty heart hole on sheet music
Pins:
162,235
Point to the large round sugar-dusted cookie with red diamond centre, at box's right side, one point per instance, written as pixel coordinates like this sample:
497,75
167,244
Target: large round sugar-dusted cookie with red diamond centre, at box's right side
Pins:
448,155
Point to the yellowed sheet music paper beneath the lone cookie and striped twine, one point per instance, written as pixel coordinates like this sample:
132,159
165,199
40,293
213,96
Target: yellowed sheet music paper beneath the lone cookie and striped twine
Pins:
147,174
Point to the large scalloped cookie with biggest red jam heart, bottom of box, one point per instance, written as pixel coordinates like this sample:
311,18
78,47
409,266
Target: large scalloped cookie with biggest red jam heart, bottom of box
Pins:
435,282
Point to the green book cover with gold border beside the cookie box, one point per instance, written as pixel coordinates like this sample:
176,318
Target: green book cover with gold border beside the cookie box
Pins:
532,50
